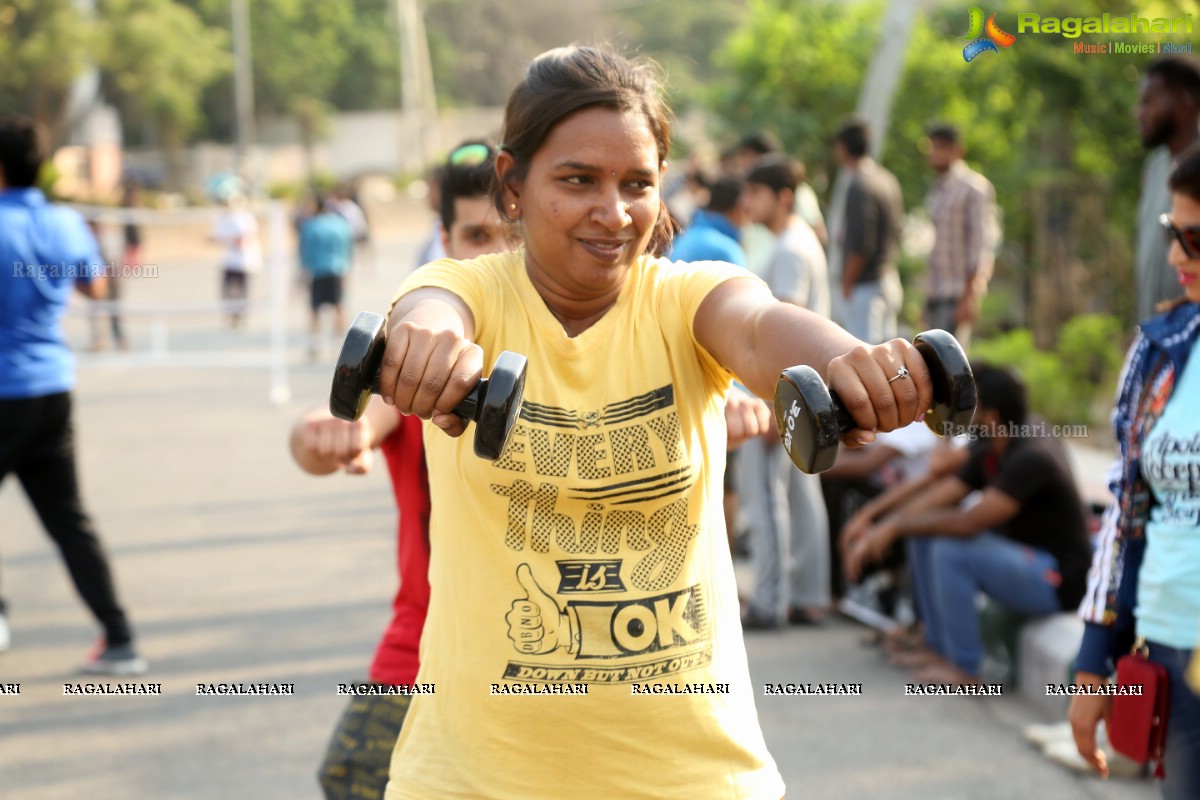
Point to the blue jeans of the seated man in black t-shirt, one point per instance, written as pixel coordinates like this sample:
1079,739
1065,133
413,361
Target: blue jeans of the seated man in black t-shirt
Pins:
947,574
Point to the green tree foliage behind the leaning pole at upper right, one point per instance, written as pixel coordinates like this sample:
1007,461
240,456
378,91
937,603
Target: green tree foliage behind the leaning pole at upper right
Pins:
1052,129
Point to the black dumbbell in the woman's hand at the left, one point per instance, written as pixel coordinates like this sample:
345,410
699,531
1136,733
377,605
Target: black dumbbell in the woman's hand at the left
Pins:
495,404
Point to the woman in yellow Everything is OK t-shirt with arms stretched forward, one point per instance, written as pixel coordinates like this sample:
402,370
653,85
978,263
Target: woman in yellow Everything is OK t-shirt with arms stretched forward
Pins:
584,637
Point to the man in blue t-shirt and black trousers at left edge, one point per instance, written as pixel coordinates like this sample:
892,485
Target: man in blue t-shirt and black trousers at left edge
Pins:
47,251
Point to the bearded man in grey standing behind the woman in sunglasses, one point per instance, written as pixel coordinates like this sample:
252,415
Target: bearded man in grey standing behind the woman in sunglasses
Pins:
1168,113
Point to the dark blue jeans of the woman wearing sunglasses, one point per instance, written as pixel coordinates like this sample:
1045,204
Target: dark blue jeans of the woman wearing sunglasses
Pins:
1181,761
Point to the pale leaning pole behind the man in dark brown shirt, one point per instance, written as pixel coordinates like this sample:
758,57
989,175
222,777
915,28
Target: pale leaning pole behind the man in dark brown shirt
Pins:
875,109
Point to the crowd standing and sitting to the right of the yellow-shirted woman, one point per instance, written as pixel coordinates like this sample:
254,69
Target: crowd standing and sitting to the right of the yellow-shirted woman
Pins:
920,528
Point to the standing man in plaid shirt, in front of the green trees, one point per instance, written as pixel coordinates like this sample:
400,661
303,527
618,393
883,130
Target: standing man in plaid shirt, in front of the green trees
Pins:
963,210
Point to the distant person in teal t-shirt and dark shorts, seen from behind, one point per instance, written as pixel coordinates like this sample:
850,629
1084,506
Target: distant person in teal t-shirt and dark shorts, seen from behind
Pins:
327,245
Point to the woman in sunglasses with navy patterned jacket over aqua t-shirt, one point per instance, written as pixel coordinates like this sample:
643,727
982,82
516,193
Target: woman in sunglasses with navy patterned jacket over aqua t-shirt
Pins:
1145,579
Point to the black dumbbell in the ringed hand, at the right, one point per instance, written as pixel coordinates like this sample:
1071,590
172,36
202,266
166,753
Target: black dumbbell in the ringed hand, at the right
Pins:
812,419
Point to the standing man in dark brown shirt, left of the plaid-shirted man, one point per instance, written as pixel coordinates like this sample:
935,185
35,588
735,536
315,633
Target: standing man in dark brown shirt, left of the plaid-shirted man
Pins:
871,240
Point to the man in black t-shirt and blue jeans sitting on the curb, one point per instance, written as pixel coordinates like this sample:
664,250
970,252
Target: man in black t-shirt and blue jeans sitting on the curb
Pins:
1024,543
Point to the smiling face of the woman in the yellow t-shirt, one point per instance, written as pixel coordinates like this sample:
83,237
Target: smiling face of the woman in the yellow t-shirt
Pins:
590,202
